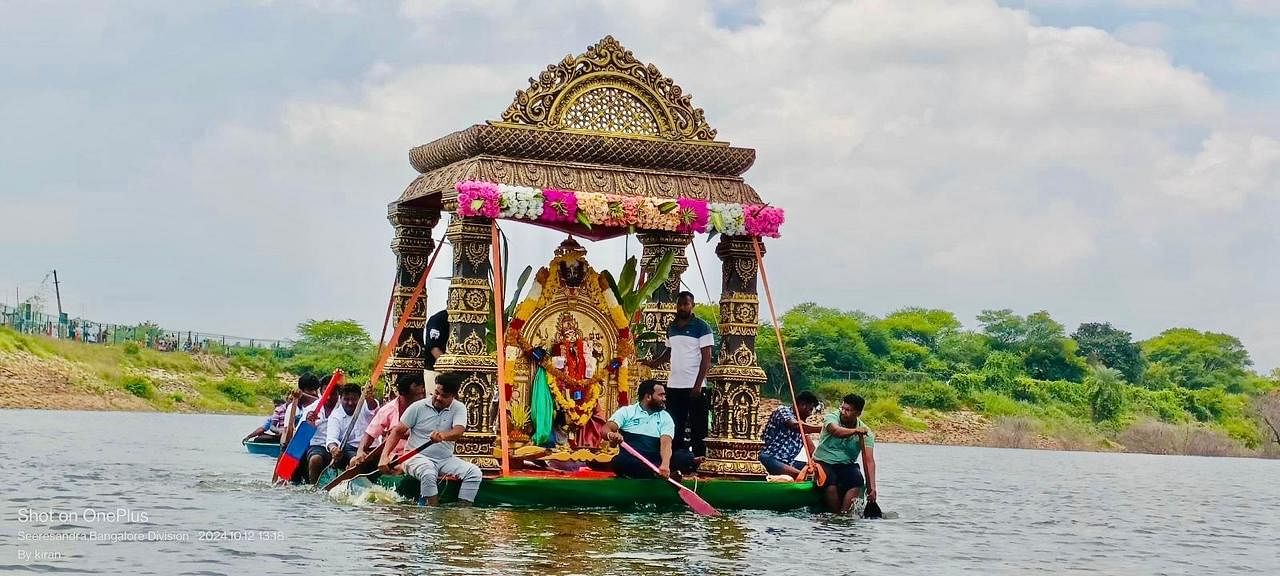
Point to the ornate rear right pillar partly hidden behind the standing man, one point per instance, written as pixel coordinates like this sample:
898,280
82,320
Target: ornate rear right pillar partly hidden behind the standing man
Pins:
661,310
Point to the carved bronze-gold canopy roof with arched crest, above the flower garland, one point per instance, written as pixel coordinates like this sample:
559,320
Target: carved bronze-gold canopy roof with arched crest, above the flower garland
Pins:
598,122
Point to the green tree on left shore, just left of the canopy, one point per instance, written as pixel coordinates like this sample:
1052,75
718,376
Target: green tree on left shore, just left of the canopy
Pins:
326,346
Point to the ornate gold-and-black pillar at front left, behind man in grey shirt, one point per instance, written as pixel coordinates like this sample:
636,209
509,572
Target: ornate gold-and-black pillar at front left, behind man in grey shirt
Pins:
467,353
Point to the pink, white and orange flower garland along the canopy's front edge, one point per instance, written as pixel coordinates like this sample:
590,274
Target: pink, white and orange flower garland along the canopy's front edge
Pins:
593,209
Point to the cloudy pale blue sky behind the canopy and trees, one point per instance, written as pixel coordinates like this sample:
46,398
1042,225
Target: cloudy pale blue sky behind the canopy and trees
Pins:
226,167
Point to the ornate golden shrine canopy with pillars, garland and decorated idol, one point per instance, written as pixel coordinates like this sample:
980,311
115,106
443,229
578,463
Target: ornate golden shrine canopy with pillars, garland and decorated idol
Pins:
611,132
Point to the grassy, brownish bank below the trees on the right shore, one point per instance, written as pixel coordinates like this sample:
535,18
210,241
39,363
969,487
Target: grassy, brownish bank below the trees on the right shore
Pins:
1059,417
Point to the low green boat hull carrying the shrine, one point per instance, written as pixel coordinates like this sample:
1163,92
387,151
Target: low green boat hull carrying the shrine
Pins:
605,491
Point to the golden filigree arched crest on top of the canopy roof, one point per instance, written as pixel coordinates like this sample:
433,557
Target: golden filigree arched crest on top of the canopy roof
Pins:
609,92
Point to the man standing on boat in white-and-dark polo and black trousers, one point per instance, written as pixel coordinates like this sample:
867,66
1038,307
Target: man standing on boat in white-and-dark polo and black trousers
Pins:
689,349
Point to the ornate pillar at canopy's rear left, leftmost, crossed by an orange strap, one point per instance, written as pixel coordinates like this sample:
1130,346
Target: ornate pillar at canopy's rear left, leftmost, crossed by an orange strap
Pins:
413,246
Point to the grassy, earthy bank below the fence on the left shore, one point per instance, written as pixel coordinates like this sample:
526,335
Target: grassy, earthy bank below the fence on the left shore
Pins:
44,373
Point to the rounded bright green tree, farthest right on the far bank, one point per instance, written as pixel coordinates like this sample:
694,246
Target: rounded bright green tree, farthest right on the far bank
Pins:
1200,359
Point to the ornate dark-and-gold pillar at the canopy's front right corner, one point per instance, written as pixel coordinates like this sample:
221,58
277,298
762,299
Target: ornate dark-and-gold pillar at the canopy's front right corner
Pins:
734,438
